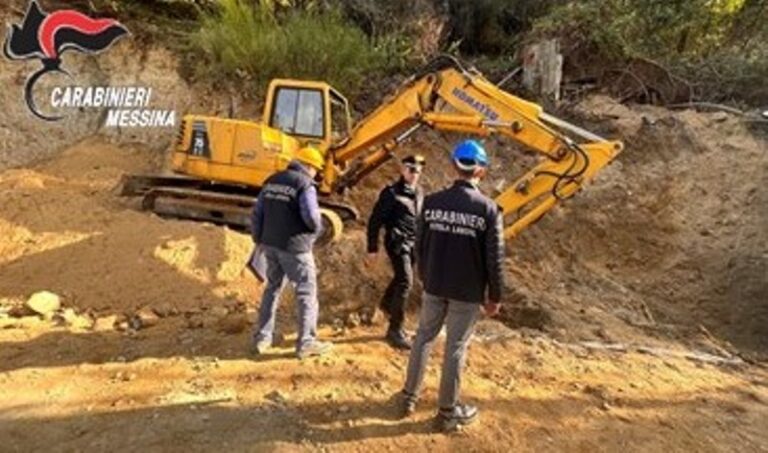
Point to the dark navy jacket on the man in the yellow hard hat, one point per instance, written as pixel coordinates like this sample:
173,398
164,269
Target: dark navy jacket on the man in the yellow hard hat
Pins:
287,214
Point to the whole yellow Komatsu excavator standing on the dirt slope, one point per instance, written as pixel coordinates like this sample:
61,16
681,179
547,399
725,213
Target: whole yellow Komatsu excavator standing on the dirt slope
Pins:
219,164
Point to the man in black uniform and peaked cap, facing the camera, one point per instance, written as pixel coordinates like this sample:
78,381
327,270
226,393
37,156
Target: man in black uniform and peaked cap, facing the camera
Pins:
396,211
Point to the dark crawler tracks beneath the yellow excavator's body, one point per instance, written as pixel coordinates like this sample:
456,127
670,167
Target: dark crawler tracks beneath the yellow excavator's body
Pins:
188,198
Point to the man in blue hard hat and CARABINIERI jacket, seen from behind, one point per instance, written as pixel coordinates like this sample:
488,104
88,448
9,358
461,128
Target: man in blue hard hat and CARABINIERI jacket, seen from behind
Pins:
460,253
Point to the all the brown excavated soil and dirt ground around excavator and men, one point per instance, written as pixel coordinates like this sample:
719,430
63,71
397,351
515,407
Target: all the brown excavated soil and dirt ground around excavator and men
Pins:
642,325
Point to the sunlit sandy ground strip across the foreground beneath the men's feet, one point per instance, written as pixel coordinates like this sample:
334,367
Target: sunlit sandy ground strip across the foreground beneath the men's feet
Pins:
172,389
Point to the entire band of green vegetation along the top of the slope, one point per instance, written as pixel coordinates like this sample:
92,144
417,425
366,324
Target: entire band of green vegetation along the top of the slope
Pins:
720,47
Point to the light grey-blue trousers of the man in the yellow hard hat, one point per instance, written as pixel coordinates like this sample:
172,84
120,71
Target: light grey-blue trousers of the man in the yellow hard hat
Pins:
300,270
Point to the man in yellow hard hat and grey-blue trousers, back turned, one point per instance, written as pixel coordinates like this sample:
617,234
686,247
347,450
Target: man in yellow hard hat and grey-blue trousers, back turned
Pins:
286,222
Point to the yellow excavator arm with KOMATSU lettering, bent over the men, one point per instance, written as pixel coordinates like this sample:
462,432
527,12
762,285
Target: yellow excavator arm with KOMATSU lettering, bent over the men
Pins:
448,97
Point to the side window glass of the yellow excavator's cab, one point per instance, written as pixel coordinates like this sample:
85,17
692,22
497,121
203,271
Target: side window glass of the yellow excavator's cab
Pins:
298,111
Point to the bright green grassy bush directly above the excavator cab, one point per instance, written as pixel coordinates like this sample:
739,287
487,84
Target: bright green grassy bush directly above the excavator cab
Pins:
254,43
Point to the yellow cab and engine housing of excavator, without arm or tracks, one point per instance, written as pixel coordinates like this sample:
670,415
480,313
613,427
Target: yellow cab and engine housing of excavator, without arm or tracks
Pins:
246,153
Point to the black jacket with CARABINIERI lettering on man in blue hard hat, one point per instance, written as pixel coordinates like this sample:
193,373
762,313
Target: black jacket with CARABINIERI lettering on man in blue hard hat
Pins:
460,245
